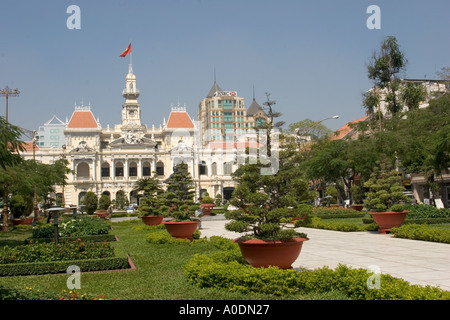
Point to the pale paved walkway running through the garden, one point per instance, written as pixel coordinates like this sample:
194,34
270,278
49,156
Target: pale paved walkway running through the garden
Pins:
418,262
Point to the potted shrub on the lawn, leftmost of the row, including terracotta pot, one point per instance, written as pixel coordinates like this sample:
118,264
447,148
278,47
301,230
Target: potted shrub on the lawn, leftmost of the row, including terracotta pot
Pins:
150,206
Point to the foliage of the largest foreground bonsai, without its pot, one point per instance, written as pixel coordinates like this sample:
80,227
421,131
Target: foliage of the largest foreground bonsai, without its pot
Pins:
269,202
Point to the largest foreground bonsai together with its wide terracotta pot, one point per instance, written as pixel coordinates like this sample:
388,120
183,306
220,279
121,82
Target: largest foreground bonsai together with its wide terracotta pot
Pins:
269,238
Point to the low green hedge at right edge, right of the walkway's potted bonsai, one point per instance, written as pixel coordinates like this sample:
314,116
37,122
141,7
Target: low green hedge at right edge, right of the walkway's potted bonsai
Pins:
421,232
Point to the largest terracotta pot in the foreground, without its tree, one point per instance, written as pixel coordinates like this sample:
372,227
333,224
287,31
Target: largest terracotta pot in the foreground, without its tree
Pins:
265,253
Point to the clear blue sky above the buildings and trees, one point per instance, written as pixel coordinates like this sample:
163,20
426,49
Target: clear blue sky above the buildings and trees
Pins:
310,55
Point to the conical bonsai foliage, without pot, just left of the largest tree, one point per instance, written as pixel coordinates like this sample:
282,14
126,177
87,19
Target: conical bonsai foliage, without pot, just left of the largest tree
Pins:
178,199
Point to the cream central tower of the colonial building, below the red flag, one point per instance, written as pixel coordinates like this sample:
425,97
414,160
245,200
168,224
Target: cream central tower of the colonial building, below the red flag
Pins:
131,113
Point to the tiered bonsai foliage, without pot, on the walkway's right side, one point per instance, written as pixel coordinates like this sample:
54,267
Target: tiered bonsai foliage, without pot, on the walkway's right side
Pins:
385,189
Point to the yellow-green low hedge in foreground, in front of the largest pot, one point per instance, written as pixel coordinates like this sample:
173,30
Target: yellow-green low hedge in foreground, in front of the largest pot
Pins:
212,272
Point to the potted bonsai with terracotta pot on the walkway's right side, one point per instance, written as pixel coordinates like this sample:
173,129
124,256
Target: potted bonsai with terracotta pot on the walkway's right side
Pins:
385,197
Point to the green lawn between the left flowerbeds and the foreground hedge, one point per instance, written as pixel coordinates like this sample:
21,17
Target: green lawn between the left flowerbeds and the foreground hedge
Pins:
159,274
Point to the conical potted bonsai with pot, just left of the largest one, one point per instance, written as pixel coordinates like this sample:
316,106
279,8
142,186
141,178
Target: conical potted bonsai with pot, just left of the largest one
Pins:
178,202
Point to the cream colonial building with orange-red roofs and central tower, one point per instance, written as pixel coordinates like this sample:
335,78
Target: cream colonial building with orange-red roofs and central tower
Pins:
107,160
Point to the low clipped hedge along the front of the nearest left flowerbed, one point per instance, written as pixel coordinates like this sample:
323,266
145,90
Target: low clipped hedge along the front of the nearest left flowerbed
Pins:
21,269
